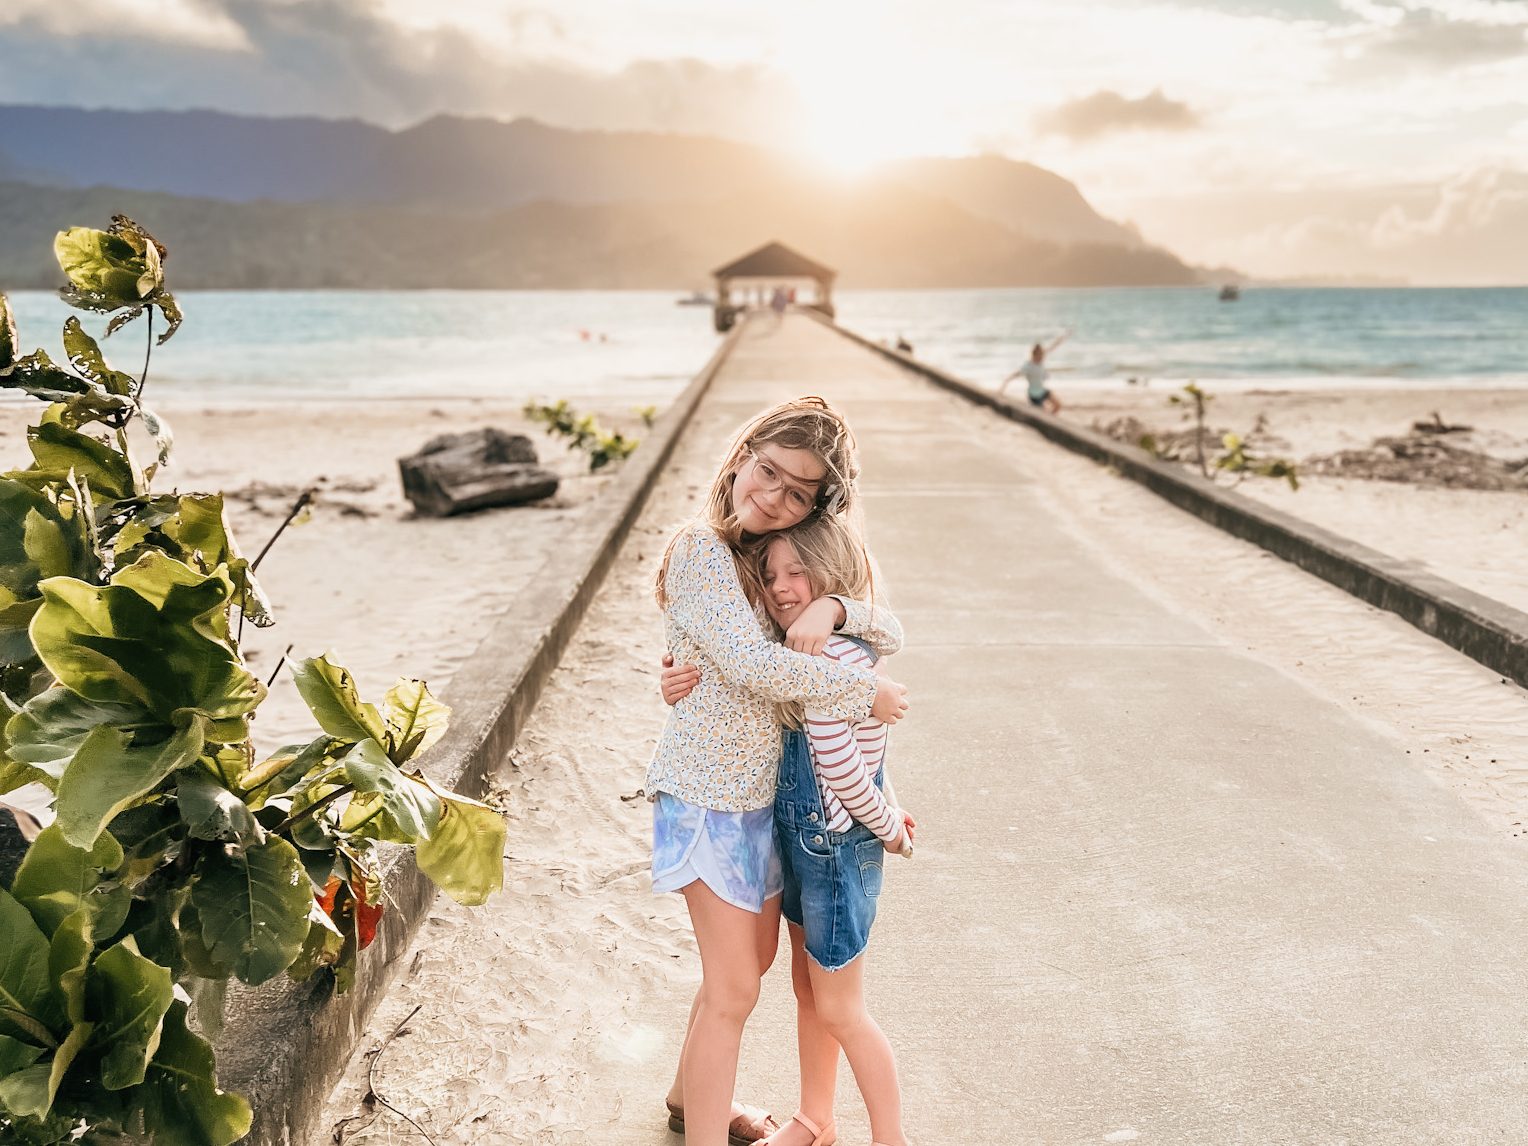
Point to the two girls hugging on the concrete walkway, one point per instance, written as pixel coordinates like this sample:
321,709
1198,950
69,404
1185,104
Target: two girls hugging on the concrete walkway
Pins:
768,785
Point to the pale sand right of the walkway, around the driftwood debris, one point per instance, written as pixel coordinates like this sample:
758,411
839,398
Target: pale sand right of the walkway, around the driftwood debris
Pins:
1474,537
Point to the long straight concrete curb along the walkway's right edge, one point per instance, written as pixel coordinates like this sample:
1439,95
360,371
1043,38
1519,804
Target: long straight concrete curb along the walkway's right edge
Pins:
1480,627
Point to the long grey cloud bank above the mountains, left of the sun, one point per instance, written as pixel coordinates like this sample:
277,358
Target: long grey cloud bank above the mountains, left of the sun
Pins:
345,59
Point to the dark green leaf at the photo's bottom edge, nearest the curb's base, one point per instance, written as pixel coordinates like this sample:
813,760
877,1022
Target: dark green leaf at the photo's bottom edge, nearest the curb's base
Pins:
180,1095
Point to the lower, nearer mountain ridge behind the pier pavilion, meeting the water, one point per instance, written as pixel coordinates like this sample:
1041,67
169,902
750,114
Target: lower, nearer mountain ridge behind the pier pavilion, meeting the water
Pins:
889,238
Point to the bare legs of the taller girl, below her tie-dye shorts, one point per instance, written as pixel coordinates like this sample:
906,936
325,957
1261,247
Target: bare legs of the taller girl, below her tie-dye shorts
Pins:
731,936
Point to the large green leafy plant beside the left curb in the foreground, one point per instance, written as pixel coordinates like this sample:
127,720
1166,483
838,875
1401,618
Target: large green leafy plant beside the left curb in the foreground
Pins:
176,861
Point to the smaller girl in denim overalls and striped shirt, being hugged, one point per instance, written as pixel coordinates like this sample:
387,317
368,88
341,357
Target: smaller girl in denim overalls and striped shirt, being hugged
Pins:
835,826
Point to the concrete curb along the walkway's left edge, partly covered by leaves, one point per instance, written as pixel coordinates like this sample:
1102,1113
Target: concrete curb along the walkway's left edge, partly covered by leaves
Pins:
285,1046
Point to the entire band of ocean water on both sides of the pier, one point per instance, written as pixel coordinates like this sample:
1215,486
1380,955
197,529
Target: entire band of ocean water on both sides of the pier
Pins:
286,346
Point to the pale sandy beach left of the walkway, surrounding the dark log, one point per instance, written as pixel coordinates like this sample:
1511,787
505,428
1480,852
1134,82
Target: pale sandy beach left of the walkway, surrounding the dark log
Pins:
389,592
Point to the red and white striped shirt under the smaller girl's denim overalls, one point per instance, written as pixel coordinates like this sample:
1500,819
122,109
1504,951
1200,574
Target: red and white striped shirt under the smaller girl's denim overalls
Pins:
847,759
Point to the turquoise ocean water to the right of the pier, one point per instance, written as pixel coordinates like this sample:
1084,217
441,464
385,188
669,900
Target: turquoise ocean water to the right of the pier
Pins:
1272,337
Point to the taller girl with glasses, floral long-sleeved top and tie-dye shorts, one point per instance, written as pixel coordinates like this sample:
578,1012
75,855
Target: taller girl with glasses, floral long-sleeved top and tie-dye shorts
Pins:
713,779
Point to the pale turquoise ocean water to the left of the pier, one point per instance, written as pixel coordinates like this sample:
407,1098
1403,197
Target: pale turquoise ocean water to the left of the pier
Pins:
241,346
